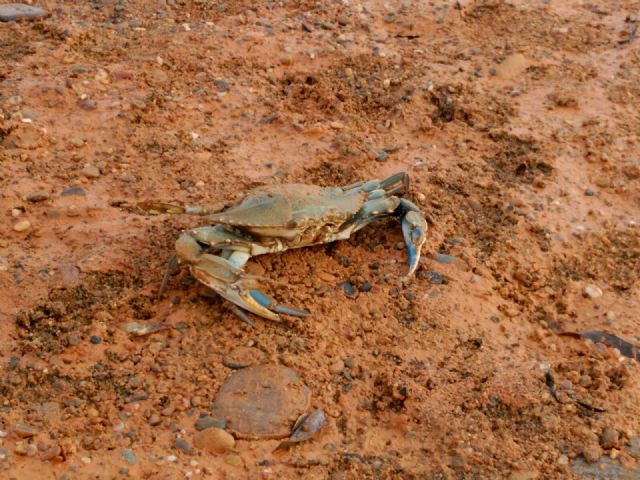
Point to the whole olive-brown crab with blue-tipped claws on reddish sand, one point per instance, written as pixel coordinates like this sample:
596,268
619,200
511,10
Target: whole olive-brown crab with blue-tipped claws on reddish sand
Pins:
281,217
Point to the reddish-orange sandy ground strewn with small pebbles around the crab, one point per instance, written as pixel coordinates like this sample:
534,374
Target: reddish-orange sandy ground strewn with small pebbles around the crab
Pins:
515,121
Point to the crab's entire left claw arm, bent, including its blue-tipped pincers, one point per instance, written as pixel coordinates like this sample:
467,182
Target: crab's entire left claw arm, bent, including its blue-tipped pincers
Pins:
223,276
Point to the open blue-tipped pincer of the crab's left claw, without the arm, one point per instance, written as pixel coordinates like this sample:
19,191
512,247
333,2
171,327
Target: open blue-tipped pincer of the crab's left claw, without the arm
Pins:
238,287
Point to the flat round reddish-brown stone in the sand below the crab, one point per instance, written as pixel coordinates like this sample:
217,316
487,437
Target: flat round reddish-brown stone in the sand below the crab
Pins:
262,402
